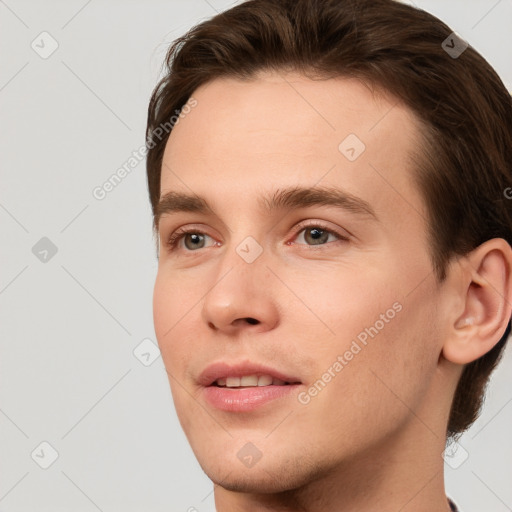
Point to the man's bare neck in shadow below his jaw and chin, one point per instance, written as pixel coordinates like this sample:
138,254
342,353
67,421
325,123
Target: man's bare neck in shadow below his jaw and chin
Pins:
405,473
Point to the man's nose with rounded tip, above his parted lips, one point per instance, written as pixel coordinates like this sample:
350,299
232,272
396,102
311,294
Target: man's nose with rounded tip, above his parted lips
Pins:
241,298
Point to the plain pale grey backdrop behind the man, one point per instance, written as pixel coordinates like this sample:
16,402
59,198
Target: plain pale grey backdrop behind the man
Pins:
86,415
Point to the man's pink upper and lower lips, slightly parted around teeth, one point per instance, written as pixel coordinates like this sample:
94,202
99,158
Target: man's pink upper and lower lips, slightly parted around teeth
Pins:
243,399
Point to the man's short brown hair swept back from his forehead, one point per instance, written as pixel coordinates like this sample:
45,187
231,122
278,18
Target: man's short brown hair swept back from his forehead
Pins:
463,106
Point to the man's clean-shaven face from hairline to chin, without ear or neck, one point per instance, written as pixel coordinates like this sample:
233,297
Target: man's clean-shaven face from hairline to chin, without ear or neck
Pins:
333,291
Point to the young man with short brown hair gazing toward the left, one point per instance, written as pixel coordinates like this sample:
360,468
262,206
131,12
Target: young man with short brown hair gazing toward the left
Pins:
334,281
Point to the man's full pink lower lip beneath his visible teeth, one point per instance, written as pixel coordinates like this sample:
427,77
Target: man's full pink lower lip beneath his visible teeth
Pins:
245,399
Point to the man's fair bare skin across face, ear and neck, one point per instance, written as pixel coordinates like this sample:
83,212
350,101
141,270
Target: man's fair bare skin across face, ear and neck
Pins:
372,439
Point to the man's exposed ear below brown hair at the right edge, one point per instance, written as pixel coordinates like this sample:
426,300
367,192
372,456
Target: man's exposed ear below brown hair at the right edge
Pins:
487,302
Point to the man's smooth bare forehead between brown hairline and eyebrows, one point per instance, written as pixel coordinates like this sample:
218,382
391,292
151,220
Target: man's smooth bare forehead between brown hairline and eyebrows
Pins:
281,129
